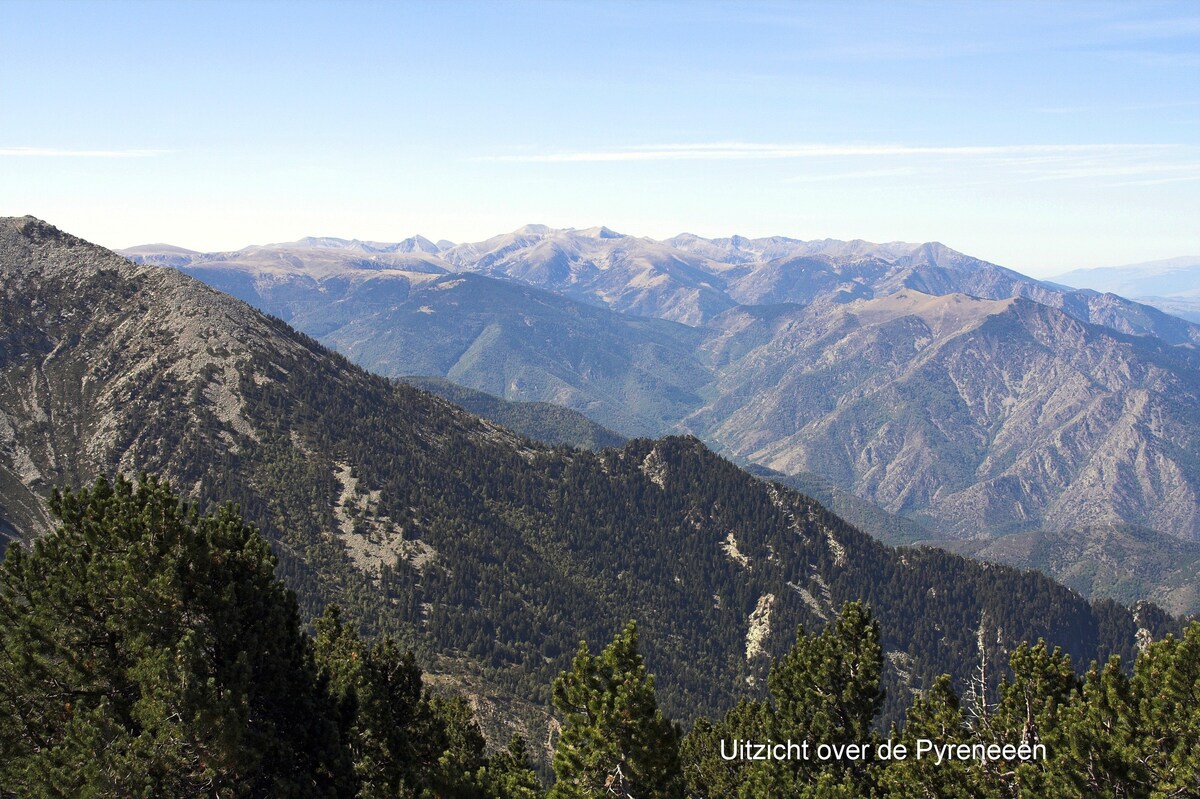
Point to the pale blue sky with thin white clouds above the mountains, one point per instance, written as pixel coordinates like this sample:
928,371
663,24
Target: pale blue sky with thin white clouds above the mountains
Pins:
1040,136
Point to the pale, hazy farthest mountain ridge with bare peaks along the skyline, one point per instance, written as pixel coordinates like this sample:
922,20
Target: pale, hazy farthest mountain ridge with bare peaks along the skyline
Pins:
689,279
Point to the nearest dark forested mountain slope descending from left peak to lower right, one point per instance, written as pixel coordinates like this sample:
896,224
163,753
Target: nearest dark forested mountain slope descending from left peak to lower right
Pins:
490,555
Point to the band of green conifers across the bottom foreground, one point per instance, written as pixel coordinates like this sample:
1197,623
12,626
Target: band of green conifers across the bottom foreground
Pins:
208,686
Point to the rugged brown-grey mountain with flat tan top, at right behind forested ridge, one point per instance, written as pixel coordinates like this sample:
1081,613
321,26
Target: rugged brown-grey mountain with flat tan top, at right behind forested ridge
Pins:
983,417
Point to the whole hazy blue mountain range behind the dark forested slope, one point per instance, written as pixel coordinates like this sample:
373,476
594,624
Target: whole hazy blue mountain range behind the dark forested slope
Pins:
951,392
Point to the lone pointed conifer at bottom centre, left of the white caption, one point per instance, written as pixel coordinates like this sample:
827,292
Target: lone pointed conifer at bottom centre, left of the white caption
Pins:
615,741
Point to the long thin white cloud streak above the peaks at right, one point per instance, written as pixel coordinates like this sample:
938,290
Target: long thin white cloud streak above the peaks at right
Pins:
748,152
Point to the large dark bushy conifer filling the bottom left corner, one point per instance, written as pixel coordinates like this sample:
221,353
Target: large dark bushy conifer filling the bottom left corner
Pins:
148,651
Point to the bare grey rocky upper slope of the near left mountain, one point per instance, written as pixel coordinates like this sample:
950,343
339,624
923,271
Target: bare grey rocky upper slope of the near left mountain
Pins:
99,356
